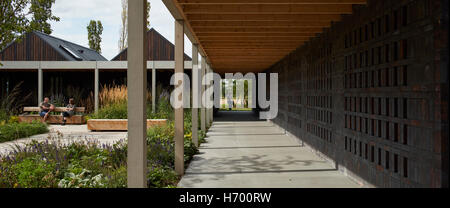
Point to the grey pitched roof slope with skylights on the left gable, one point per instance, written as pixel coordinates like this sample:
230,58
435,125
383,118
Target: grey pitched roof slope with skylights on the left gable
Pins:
69,50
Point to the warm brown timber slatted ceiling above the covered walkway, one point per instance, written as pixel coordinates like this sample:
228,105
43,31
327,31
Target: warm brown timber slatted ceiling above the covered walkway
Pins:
252,35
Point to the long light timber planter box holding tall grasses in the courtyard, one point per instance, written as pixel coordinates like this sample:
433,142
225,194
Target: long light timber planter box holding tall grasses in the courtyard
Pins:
118,124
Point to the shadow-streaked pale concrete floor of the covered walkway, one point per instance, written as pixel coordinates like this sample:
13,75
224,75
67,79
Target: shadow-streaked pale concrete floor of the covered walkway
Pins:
257,154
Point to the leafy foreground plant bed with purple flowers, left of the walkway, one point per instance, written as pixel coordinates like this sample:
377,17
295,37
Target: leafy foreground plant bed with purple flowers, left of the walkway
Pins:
87,164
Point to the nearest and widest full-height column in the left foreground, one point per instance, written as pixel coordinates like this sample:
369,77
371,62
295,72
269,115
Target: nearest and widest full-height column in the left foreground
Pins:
137,87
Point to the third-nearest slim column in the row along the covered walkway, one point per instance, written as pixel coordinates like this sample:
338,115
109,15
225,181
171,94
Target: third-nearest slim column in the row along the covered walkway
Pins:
195,94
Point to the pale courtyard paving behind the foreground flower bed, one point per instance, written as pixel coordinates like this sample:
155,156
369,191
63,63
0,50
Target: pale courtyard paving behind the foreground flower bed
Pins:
67,134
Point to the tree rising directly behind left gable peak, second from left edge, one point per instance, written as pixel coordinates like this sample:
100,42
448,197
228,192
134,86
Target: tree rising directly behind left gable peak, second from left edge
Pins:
42,14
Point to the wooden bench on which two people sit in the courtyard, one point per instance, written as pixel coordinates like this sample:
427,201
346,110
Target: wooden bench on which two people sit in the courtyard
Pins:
52,119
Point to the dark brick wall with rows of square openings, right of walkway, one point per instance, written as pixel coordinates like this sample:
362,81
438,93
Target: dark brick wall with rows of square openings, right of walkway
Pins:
365,91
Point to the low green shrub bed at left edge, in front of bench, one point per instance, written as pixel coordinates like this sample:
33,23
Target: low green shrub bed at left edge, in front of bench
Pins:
13,131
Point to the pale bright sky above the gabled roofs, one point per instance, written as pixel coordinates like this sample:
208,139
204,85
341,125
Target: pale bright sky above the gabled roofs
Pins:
75,16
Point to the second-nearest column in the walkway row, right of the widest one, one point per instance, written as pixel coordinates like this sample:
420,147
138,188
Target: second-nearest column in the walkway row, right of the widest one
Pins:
179,117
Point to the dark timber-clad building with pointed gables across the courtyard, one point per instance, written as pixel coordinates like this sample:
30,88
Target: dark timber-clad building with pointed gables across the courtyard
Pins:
37,46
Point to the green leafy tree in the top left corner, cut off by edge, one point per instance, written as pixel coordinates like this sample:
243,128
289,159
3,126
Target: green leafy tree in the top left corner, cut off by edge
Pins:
13,21
